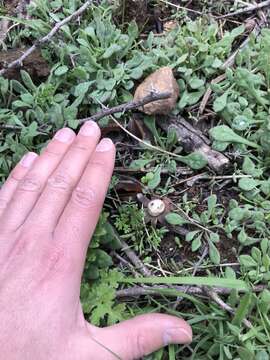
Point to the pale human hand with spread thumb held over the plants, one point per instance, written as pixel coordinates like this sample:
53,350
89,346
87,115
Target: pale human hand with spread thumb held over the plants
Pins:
49,207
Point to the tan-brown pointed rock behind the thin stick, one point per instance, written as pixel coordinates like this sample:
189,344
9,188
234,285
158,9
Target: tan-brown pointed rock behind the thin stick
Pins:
162,80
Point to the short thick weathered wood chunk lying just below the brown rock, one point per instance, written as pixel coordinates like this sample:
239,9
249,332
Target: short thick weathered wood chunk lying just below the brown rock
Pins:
193,140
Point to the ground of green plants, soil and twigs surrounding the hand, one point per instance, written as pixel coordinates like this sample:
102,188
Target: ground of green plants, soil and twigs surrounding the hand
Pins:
185,226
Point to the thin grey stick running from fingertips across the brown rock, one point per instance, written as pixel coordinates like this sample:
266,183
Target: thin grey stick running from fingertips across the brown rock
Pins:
153,96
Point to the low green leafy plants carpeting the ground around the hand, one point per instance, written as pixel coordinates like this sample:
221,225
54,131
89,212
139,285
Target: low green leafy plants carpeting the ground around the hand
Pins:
93,62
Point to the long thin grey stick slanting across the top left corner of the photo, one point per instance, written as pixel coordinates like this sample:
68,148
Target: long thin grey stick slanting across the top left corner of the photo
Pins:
47,38
